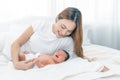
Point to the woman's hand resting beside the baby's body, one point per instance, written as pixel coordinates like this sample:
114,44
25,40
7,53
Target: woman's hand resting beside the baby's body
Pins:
24,65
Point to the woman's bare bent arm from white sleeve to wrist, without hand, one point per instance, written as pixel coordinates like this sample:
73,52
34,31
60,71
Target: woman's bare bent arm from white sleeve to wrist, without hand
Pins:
15,48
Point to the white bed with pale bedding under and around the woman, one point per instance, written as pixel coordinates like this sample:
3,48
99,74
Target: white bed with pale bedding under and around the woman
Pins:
75,69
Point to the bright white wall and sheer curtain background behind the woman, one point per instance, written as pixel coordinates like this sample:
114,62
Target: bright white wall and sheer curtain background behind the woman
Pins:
102,16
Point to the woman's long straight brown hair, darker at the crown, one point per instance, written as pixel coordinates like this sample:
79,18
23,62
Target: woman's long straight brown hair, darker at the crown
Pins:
75,15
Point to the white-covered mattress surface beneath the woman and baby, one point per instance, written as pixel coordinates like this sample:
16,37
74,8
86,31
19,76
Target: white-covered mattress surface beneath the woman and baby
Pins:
72,70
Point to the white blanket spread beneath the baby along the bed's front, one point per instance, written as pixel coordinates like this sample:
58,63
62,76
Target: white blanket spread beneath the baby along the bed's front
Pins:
57,71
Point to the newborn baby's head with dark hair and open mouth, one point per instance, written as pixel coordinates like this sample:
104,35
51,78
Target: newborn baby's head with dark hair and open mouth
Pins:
60,56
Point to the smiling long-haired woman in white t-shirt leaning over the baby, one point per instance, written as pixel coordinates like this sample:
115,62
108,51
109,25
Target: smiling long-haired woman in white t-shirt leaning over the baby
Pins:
47,37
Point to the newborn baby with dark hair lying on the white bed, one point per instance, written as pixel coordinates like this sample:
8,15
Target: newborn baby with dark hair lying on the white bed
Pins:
43,60
